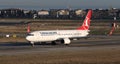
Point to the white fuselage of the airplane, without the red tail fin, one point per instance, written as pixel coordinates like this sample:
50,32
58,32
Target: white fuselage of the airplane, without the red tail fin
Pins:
52,35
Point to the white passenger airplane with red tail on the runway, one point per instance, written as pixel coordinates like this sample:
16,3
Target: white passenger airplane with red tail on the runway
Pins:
63,36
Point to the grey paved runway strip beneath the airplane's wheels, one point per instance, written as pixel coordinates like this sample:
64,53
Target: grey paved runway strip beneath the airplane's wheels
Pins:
92,43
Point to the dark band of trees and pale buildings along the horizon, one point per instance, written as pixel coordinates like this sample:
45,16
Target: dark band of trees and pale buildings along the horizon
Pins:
59,13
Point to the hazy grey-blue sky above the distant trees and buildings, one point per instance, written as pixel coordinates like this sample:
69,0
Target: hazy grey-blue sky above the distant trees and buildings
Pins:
49,4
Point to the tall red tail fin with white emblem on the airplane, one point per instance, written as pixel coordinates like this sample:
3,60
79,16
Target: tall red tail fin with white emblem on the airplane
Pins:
86,23
